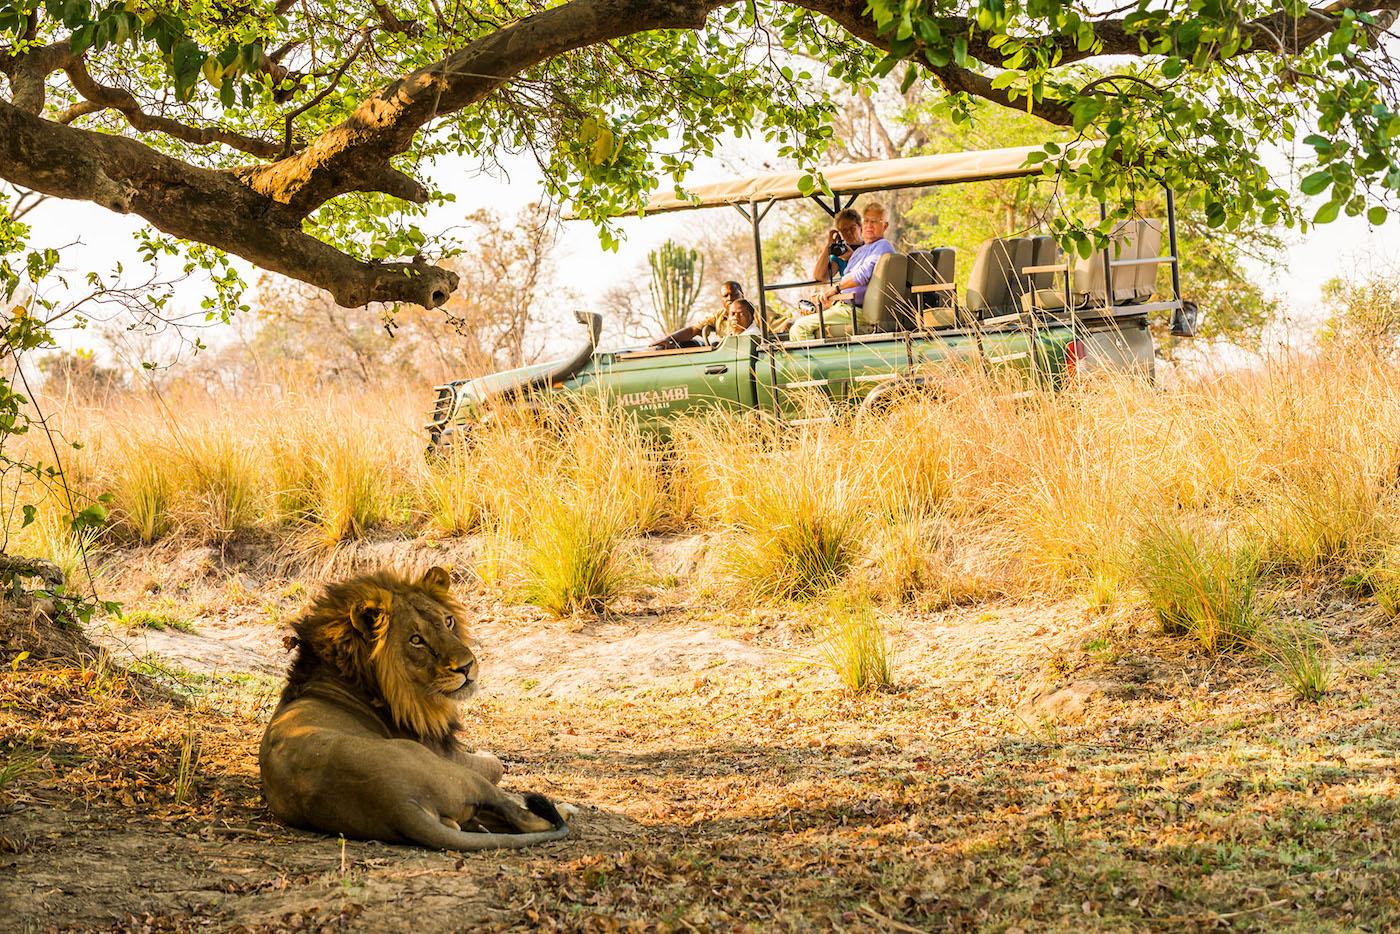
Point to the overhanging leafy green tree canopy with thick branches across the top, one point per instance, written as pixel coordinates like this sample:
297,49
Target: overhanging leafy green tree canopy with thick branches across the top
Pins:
302,137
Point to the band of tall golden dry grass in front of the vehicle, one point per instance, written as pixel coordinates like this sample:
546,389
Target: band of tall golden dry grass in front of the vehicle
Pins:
944,498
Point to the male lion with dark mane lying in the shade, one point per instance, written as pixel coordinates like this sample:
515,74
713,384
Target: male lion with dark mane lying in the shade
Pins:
363,740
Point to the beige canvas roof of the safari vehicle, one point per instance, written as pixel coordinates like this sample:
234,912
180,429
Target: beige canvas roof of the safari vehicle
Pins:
856,179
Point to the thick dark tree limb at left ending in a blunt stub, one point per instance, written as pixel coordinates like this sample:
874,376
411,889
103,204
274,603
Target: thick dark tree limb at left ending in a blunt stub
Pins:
202,205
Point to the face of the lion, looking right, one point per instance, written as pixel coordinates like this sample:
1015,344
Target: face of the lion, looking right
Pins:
426,638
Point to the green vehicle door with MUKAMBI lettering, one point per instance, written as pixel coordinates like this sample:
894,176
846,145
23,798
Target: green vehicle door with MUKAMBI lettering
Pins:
661,386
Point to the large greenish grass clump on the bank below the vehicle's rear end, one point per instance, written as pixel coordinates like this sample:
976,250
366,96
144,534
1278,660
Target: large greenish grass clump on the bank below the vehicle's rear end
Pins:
1199,586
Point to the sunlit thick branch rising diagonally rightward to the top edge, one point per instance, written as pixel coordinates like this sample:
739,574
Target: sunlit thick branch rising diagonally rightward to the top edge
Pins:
386,124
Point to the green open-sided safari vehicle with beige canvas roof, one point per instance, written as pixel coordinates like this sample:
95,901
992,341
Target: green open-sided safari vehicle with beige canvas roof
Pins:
1025,306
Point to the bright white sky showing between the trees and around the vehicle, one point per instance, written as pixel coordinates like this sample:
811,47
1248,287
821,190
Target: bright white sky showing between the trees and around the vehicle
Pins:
101,239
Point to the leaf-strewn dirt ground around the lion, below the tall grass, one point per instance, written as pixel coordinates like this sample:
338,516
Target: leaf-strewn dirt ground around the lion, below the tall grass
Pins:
1037,769
